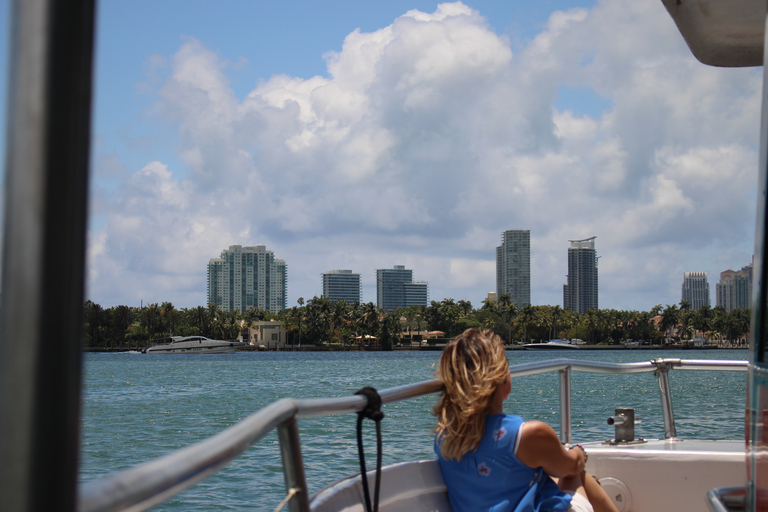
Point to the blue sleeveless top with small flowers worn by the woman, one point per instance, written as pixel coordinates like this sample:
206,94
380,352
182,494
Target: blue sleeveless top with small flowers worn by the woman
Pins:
492,478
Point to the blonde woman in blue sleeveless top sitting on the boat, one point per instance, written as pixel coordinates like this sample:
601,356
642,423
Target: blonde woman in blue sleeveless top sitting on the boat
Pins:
497,462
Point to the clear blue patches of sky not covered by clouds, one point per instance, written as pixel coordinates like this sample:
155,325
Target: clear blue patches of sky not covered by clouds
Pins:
257,39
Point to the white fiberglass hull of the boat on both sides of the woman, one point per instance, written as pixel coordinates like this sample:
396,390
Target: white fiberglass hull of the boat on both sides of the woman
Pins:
650,477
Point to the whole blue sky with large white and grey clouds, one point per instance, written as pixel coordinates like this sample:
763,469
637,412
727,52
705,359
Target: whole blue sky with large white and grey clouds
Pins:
363,135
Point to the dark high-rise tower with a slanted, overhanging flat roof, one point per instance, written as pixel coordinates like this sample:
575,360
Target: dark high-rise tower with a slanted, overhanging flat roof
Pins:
580,290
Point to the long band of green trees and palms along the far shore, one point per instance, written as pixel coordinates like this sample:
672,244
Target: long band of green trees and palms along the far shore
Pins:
321,321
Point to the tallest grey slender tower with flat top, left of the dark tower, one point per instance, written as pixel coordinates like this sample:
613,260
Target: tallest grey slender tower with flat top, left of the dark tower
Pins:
513,266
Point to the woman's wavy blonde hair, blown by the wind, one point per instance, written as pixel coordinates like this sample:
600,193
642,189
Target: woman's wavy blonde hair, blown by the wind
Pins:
472,367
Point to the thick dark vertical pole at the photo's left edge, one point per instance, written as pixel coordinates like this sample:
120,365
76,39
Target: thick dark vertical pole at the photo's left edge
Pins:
48,131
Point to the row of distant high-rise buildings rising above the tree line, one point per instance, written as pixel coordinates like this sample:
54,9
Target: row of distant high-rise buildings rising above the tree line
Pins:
733,290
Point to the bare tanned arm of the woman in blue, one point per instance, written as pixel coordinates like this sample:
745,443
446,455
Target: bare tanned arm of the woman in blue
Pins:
540,447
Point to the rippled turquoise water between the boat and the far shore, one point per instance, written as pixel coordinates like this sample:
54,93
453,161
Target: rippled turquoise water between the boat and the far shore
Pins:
137,407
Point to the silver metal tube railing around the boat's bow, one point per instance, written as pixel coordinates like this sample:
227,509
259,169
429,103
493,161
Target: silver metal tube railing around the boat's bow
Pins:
148,484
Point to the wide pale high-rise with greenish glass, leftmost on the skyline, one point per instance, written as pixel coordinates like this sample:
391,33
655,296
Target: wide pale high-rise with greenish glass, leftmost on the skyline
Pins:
246,277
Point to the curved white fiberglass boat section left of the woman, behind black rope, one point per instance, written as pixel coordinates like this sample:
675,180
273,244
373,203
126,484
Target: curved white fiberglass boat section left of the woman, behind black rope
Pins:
413,486
